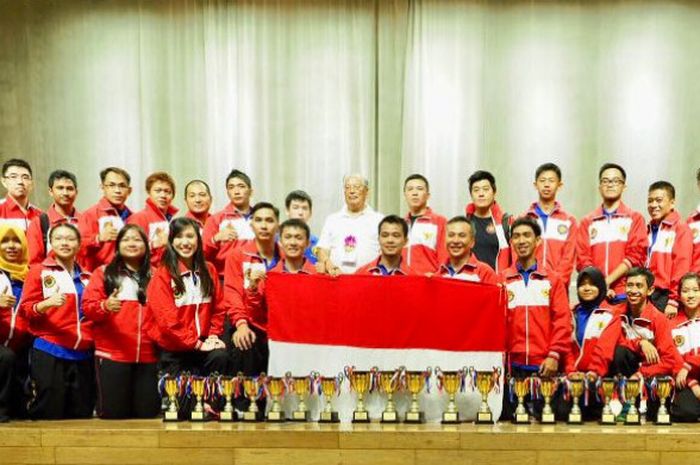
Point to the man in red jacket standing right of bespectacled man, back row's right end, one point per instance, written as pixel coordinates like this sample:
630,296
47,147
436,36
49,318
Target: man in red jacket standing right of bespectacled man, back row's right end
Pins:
670,247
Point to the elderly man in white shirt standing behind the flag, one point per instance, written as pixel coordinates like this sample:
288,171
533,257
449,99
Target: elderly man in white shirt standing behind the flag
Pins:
349,237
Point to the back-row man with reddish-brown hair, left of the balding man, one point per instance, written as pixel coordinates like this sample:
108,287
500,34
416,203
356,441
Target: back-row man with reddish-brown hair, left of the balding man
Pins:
155,218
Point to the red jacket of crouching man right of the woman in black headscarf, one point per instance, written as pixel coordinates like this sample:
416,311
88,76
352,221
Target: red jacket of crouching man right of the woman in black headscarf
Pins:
653,326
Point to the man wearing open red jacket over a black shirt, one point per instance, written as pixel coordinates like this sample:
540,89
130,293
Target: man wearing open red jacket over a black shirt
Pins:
491,225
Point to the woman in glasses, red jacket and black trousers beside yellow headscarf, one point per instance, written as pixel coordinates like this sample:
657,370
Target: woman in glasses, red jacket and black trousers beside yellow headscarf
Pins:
61,360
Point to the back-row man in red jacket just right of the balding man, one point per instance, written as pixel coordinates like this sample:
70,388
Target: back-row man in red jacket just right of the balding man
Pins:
229,228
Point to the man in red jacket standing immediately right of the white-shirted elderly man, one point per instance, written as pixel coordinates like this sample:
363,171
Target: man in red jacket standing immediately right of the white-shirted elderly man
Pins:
426,237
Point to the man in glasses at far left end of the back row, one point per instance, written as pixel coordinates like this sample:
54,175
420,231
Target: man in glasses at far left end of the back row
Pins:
15,208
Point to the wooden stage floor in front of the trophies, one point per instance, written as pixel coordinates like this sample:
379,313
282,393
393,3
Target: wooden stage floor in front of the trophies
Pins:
153,442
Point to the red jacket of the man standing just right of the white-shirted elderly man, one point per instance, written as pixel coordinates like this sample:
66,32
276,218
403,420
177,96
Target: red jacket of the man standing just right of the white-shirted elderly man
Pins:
426,242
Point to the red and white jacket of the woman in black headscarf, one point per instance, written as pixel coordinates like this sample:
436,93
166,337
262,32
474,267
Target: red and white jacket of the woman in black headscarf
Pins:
599,341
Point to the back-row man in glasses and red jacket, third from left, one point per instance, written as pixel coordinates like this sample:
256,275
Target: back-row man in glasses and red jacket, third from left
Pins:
101,223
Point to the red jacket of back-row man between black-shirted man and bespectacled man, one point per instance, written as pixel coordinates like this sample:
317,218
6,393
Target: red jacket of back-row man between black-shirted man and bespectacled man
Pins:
558,248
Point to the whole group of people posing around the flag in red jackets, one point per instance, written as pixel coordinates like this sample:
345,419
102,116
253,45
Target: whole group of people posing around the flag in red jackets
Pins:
94,305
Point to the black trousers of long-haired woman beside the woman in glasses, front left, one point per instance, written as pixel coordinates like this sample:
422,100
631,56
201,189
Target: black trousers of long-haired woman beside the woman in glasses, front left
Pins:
126,390
